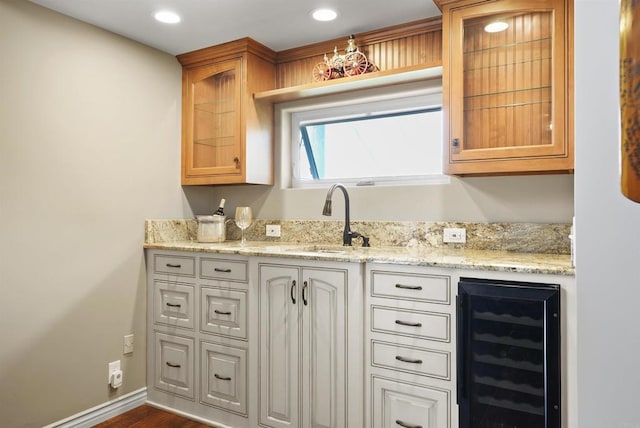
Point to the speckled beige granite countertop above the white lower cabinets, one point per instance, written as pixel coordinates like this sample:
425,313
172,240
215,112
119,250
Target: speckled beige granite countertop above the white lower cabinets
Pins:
557,264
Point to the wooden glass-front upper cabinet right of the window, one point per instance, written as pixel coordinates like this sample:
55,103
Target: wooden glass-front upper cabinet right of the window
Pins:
507,94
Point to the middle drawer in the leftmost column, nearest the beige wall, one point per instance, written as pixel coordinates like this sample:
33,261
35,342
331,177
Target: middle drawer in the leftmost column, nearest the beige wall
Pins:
173,304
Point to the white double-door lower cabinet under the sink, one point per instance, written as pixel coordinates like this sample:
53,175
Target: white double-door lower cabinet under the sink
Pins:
311,353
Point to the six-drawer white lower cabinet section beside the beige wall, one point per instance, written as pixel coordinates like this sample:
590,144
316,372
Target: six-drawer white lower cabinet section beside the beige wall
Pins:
199,341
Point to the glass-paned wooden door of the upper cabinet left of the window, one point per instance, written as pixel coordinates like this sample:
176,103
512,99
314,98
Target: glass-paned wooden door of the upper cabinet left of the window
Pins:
213,133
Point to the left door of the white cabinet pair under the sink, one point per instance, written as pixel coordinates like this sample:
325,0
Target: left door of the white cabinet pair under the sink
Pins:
279,395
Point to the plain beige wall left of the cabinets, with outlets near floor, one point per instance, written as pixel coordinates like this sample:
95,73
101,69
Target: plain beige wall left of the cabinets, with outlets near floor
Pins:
89,148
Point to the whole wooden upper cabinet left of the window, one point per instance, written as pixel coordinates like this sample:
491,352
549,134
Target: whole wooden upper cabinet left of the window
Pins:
226,137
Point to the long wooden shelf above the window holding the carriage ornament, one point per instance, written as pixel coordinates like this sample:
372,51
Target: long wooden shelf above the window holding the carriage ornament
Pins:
349,84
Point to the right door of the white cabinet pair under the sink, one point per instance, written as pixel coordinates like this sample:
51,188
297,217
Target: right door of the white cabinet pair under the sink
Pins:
323,348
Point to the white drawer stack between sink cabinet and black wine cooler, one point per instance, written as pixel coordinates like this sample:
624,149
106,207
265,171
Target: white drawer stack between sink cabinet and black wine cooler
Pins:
409,348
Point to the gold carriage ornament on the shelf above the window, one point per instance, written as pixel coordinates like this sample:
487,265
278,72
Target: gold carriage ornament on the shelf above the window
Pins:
352,63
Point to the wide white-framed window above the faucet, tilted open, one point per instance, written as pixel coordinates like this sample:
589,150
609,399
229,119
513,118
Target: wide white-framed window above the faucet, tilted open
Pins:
396,140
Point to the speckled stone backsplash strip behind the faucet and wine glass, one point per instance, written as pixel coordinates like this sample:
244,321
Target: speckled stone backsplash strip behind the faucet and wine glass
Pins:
516,237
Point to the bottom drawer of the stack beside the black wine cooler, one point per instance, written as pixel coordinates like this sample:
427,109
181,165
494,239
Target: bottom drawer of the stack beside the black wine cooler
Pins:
396,404
